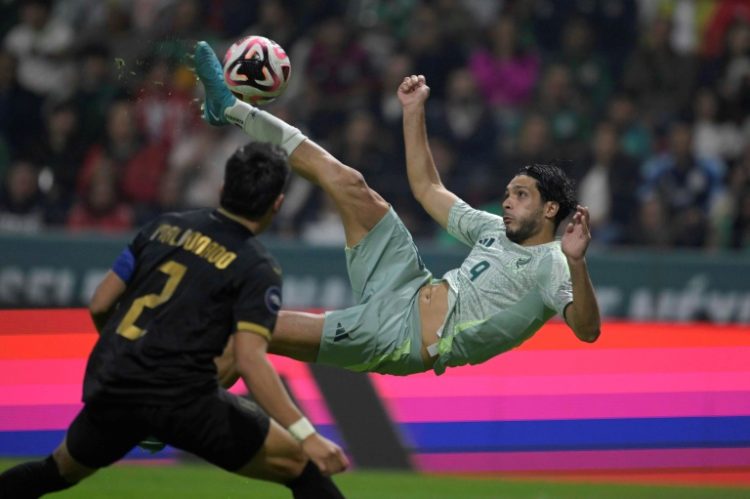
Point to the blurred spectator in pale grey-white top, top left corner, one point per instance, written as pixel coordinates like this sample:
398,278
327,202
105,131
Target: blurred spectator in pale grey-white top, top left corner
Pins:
41,45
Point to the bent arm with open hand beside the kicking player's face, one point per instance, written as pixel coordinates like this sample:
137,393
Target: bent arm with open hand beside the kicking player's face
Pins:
582,315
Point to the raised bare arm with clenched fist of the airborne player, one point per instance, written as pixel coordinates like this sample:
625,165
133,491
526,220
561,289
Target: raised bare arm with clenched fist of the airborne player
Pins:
424,179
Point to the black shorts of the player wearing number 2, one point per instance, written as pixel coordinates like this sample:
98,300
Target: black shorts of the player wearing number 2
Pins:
224,429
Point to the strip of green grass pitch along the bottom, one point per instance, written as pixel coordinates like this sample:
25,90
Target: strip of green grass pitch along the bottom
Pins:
198,481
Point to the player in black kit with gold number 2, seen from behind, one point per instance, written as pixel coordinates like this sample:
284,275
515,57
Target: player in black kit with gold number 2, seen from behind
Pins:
187,283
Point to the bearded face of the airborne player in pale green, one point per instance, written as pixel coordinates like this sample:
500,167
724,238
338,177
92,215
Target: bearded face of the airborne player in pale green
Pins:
523,209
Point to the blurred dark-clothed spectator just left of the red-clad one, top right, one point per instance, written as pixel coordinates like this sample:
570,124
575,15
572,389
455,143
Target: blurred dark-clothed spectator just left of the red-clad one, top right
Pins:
660,79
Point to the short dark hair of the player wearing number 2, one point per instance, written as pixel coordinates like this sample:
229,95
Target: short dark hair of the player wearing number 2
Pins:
254,177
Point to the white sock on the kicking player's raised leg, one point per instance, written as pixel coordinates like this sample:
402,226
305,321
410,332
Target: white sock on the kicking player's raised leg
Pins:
264,127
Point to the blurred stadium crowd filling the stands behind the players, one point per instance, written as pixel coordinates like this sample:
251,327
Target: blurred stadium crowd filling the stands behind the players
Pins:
646,103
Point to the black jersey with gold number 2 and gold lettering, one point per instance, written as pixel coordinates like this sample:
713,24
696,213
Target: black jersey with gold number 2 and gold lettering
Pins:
198,277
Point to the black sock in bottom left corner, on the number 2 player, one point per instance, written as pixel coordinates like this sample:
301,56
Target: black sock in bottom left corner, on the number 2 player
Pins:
32,479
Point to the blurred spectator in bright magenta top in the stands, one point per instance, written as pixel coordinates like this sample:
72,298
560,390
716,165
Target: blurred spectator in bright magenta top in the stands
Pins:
505,70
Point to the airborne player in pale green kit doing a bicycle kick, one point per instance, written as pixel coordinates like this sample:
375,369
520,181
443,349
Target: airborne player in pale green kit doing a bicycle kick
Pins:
516,277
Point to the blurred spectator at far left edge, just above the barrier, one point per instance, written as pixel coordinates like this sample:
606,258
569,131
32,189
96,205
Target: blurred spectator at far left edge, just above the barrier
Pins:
22,204
